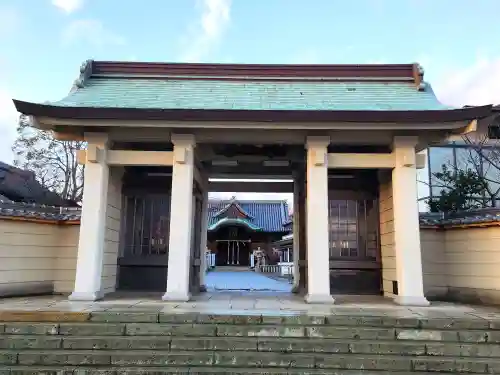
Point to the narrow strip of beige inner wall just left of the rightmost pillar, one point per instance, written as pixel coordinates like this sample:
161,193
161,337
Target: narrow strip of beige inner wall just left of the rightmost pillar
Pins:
387,249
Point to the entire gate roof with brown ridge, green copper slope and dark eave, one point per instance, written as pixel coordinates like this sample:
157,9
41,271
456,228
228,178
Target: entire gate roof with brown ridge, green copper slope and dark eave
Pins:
232,92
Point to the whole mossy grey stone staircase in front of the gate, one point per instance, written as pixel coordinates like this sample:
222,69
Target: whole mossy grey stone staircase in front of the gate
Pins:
141,342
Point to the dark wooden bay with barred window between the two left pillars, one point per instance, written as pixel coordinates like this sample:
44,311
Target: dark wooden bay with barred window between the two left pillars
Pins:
145,225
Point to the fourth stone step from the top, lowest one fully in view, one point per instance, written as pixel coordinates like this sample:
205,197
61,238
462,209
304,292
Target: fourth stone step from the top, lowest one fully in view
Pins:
143,359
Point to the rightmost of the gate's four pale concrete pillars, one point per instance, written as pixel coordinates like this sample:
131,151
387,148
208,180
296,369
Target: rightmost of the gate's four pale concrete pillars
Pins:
406,224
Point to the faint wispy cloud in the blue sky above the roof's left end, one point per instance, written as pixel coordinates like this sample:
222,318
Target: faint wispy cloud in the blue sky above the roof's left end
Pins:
92,32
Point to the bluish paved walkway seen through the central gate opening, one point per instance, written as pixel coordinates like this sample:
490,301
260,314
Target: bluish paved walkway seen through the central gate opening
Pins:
245,281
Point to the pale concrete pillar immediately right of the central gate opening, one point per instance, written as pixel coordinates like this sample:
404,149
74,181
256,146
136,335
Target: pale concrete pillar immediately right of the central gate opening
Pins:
318,257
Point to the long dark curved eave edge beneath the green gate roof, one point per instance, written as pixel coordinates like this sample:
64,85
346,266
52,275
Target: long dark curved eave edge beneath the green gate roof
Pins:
93,113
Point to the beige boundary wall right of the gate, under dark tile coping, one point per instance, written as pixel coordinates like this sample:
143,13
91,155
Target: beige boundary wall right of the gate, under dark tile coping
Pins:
462,264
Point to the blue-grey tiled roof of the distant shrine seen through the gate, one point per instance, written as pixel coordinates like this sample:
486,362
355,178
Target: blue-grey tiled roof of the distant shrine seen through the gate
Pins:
269,216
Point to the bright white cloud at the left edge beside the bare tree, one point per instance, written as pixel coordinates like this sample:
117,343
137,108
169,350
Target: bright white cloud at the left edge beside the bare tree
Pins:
8,122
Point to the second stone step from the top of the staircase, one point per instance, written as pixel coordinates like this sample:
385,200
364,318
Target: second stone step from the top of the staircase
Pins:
229,330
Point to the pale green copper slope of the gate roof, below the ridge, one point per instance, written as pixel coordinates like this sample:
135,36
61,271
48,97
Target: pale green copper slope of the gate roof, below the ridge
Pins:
219,94
